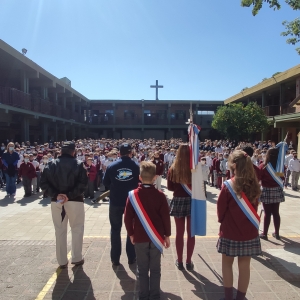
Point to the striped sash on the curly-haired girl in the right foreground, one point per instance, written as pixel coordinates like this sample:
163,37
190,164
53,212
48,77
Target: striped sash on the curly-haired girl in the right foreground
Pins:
244,204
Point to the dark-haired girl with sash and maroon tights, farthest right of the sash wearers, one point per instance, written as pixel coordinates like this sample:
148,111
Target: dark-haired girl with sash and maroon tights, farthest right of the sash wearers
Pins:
272,191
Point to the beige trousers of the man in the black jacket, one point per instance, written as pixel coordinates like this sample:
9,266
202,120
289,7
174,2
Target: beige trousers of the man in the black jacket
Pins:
75,214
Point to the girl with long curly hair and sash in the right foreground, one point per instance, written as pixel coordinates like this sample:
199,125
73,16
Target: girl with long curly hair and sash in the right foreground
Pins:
237,212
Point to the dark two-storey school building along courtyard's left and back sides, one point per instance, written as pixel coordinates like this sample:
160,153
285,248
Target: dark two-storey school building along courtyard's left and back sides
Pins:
37,106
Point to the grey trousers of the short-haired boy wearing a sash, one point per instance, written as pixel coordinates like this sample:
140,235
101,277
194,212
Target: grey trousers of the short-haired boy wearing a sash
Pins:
148,259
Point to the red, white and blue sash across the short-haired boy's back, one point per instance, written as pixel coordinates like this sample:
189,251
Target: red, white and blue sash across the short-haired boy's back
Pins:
154,236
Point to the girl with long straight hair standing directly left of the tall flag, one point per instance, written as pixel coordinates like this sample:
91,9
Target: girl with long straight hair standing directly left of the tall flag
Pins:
179,178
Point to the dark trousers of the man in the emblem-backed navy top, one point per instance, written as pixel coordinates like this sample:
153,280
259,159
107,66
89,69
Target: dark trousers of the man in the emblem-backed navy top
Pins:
116,218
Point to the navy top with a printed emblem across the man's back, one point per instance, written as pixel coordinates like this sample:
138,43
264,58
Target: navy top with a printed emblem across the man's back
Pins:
121,176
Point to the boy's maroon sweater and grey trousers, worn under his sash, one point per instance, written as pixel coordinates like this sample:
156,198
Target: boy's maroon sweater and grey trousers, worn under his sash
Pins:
147,254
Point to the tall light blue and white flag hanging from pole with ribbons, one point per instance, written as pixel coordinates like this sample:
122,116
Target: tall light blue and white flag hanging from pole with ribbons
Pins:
198,205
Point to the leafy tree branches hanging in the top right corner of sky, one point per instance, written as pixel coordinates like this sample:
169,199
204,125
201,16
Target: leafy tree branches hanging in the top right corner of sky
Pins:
292,28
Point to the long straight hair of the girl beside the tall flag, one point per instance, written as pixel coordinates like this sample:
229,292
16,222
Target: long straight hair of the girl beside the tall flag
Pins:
180,171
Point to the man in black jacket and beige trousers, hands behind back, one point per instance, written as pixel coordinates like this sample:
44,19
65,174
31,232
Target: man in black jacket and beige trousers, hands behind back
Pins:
64,180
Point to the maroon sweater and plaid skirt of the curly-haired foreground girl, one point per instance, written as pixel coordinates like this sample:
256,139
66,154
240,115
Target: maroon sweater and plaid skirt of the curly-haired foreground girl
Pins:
238,236
